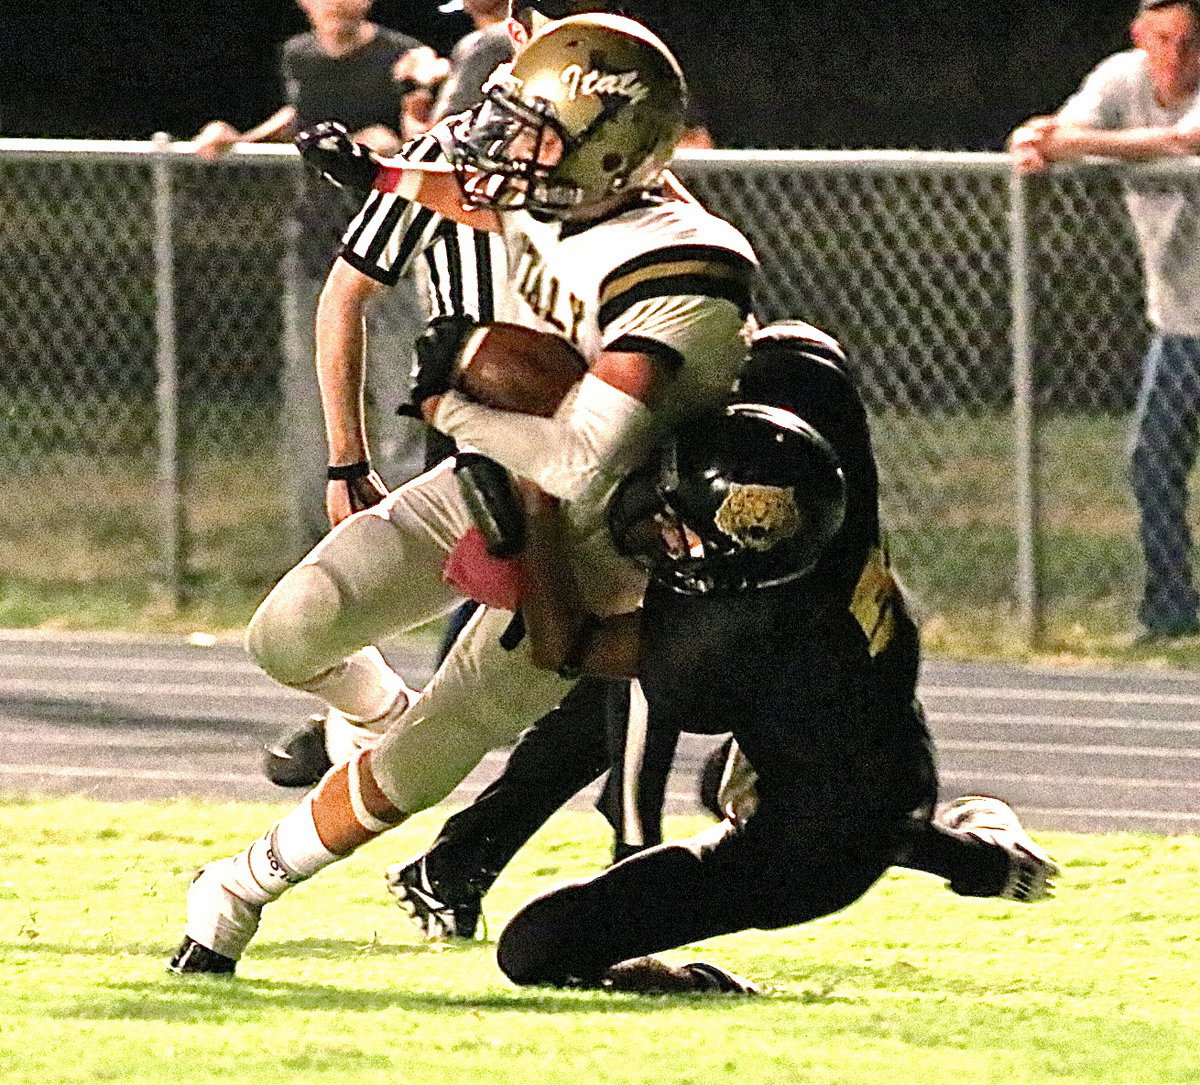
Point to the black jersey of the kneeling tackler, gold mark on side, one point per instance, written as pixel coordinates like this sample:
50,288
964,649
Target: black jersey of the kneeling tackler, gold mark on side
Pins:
814,676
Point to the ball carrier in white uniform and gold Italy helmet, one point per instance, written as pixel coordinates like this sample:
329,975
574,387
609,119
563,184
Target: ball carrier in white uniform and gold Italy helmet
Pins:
562,158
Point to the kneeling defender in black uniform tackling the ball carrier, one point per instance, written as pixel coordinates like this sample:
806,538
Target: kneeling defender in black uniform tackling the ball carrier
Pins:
772,614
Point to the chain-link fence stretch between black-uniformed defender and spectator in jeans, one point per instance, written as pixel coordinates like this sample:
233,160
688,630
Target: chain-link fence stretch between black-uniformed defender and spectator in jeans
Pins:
998,328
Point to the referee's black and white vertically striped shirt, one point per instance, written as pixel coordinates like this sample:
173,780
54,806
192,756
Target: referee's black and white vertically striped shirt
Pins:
466,269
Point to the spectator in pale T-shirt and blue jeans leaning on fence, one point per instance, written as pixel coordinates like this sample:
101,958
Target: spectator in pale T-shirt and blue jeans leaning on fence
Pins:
1138,106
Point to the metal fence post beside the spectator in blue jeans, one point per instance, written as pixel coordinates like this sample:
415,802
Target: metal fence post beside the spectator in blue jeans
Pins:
1025,443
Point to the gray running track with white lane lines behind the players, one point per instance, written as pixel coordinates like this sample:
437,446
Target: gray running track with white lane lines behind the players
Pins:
122,718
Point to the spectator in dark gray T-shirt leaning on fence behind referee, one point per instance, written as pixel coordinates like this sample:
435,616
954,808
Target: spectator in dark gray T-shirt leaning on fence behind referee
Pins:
352,70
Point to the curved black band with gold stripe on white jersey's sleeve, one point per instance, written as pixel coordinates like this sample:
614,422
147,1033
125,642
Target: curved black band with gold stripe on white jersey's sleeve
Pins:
706,271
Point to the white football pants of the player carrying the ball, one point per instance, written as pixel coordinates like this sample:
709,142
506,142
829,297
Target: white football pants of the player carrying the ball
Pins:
380,574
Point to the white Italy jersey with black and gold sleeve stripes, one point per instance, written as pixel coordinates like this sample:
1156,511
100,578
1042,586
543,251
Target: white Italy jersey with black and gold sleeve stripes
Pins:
664,278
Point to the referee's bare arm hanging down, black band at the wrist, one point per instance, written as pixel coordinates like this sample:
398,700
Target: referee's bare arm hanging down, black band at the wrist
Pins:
340,375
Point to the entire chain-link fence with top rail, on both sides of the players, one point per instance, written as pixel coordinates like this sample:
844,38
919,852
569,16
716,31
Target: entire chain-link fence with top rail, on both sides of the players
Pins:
997,328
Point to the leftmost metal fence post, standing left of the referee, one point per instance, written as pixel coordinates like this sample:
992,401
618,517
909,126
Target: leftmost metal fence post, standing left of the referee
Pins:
170,475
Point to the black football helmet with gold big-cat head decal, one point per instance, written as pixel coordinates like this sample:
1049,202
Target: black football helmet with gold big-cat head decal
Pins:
748,497
